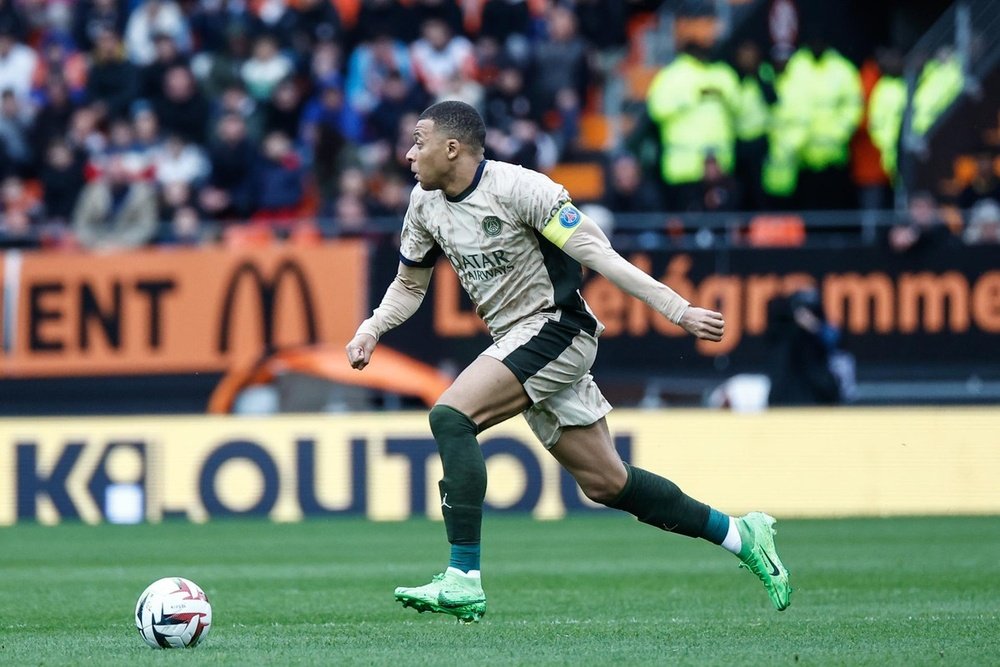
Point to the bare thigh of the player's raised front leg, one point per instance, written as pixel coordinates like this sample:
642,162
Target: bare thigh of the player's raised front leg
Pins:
487,392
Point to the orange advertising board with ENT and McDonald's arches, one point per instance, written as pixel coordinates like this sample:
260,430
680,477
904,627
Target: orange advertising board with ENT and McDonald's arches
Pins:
175,310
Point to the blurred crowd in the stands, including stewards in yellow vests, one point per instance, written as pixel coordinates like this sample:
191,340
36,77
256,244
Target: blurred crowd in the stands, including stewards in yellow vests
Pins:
129,122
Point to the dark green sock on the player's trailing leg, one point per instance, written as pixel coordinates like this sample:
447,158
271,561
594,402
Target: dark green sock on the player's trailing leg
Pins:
660,503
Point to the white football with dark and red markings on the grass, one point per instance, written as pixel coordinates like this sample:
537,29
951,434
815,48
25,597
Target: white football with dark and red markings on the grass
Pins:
173,613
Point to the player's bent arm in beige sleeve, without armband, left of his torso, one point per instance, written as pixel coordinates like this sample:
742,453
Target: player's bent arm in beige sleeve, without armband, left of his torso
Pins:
402,298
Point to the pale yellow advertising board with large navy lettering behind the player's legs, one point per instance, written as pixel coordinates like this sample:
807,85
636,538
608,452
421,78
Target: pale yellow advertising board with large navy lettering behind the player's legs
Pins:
793,463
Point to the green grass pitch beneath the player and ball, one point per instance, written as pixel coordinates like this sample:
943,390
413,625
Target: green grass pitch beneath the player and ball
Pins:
585,591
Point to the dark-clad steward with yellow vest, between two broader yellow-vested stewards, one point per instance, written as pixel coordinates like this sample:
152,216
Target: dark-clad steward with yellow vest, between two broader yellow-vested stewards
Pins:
753,116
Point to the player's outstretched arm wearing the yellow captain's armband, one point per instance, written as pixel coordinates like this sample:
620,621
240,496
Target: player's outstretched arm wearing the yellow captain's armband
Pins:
587,244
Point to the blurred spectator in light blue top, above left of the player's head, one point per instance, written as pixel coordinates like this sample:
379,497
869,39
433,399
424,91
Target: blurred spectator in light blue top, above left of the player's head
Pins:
370,67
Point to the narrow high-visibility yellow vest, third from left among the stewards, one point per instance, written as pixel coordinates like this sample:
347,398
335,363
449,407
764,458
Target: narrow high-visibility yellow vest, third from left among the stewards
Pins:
791,120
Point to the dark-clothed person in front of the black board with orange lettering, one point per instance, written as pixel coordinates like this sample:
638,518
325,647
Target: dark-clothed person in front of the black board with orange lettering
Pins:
804,343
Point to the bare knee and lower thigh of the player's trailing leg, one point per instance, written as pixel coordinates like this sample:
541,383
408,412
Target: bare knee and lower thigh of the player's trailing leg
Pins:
588,453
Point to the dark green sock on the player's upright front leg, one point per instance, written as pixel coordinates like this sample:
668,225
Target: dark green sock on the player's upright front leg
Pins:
463,488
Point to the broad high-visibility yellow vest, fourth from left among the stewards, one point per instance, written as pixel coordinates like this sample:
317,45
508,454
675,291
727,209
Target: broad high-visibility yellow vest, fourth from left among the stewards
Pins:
832,85
